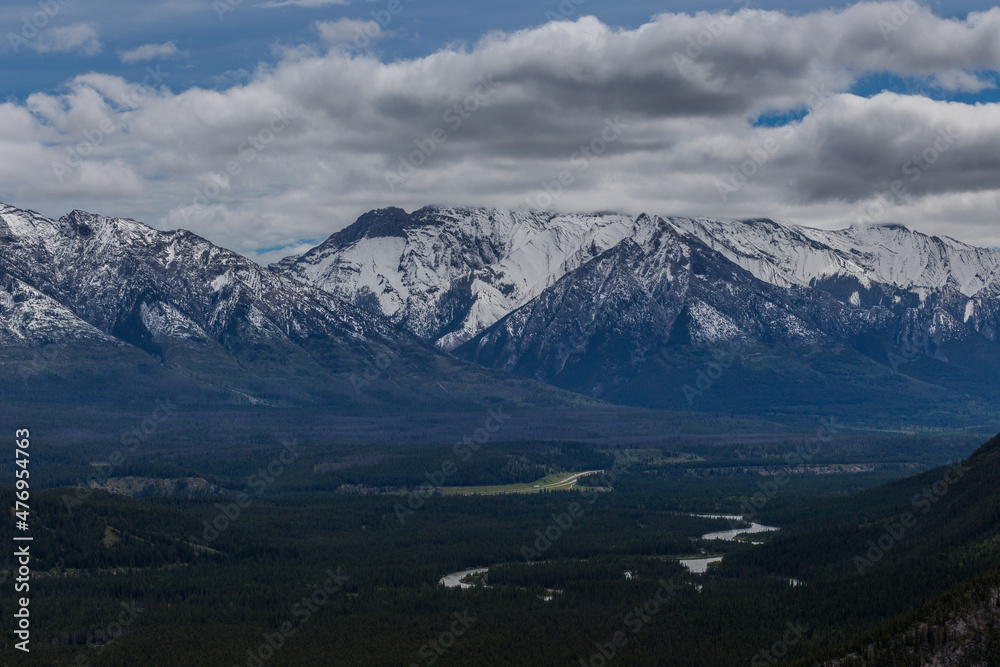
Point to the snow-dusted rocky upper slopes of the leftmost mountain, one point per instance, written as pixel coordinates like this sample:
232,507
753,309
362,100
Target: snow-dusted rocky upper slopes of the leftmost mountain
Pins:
144,286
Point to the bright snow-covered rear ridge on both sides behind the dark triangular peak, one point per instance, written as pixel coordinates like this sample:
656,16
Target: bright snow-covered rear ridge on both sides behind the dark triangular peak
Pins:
447,274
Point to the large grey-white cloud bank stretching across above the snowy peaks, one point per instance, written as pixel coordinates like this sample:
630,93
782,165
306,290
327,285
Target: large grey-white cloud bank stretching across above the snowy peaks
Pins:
573,115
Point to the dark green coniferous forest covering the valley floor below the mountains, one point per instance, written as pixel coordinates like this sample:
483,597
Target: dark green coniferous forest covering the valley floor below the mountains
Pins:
312,552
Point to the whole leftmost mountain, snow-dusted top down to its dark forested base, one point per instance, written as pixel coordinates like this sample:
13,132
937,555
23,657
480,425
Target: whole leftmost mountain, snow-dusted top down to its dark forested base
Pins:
170,308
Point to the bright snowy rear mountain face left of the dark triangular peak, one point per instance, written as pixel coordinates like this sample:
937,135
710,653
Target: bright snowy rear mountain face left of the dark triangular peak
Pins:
448,273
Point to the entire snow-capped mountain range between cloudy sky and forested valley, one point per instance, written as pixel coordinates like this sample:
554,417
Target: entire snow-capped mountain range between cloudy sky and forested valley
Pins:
740,316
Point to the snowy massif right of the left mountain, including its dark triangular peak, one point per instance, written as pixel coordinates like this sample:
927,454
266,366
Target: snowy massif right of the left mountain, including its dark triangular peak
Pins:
592,303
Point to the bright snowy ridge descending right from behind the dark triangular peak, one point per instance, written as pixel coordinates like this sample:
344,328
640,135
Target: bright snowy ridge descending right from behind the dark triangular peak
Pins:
954,288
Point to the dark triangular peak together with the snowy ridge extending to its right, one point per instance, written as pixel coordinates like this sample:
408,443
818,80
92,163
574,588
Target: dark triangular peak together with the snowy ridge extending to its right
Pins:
894,305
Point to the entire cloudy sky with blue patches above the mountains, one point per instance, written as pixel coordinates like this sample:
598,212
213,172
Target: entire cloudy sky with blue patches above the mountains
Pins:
267,125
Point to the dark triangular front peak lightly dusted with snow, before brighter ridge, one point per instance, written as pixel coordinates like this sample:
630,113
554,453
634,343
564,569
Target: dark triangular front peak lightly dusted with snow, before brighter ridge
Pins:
601,324
